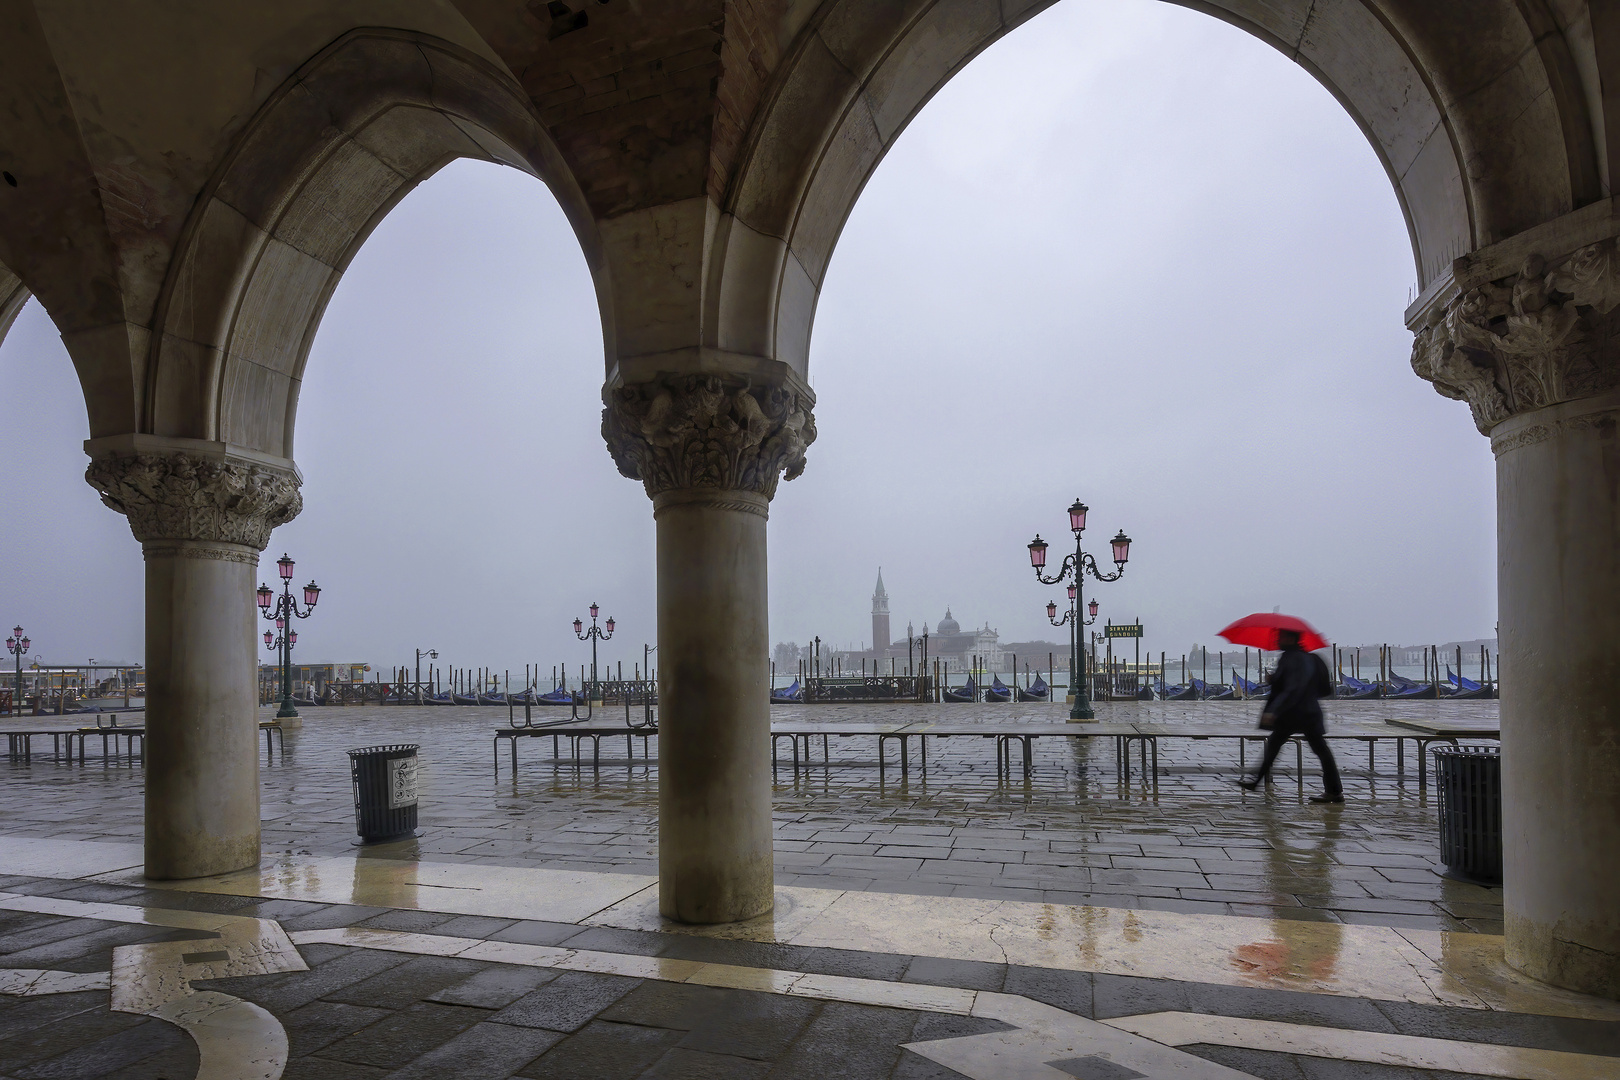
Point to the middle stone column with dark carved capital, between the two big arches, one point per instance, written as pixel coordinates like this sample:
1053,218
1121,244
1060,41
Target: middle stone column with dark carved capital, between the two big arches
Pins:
710,451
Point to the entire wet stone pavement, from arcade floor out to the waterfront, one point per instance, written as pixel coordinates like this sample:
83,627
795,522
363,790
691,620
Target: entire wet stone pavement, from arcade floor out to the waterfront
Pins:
372,989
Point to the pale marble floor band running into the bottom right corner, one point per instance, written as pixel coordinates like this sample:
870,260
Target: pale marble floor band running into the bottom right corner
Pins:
1485,1060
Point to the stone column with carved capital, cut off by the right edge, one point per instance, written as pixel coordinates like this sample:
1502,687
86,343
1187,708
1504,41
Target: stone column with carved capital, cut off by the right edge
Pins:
1530,342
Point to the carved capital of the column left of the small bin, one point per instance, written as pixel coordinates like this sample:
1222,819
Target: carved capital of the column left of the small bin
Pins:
195,498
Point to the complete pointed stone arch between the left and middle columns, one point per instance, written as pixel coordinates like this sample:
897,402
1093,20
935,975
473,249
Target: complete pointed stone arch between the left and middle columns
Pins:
326,158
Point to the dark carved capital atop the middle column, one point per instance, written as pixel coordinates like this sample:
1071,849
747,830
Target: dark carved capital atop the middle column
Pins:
709,433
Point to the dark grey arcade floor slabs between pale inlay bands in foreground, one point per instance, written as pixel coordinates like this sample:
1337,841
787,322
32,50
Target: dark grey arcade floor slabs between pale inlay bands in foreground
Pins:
367,1014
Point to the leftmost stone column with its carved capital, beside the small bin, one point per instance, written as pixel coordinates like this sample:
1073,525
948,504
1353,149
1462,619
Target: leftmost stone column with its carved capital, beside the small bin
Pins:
203,512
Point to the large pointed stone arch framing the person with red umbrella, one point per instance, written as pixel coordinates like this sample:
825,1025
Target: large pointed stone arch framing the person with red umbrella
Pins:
1483,135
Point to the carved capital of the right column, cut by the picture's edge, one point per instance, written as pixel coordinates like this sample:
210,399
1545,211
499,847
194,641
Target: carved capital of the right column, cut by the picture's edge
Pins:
1533,339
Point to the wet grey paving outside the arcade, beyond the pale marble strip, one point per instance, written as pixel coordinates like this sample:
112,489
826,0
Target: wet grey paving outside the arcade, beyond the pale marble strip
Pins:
1187,840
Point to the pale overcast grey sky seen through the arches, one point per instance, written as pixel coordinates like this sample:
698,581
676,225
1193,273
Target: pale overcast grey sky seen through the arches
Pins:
1128,255
